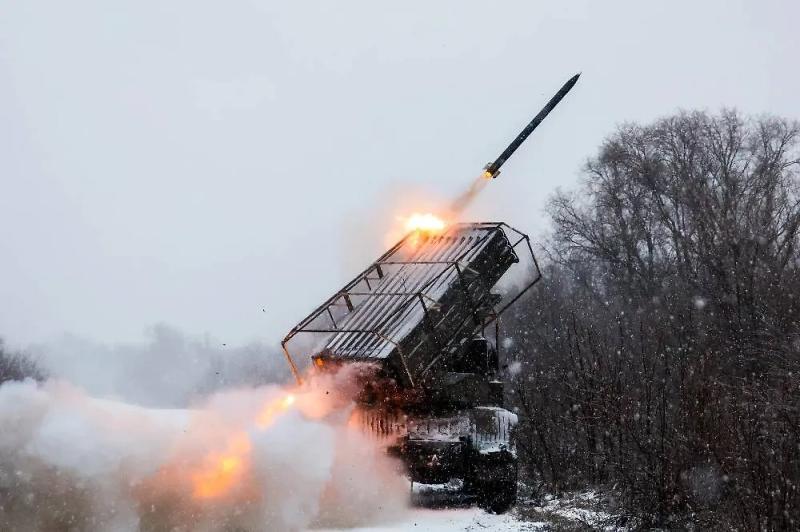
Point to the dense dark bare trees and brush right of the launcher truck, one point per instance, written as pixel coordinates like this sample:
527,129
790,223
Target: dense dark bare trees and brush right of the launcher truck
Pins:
660,354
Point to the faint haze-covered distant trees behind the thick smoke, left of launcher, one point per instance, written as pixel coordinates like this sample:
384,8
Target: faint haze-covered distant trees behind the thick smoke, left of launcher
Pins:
166,369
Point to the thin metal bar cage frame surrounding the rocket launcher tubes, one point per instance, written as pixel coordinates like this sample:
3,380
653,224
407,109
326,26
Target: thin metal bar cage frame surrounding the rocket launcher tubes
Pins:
343,297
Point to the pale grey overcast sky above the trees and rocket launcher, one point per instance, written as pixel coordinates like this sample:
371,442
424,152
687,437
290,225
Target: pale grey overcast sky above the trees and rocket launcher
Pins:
194,162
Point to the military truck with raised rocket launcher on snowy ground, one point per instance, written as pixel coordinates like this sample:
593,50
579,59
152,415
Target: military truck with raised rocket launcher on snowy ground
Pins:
425,315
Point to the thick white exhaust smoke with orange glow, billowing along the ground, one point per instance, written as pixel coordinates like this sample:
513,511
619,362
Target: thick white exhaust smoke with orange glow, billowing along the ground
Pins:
71,461
